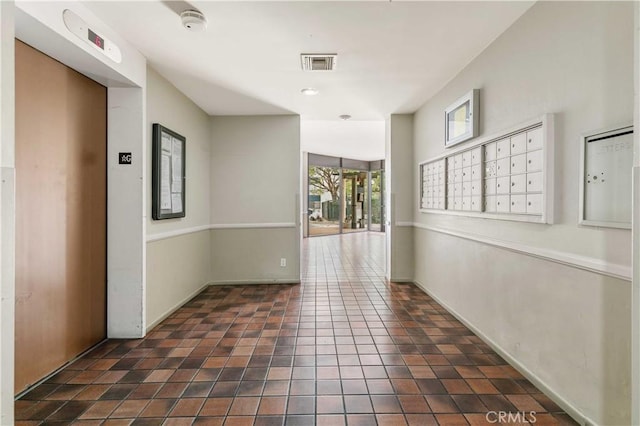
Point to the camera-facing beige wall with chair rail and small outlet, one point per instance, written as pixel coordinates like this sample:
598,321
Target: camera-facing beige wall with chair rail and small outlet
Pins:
255,199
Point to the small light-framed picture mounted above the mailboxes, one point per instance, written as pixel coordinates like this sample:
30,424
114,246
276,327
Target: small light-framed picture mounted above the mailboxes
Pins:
461,119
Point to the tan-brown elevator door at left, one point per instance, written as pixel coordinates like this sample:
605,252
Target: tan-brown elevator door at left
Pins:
60,214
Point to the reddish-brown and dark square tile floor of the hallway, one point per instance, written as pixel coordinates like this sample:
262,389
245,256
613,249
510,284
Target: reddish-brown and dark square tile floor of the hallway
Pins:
344,347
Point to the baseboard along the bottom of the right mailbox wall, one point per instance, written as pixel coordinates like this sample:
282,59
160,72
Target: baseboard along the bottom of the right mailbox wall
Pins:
555,397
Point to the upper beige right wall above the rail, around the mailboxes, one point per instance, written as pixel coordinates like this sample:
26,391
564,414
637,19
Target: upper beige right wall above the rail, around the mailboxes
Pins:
574,59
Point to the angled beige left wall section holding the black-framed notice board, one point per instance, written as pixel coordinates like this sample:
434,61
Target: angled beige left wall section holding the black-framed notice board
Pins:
178,250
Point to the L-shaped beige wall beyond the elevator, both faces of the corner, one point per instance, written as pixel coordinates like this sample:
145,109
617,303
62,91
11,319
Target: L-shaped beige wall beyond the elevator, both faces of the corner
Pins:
243,183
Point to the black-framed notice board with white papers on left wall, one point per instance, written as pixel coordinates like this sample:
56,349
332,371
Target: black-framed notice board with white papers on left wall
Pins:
168,173
